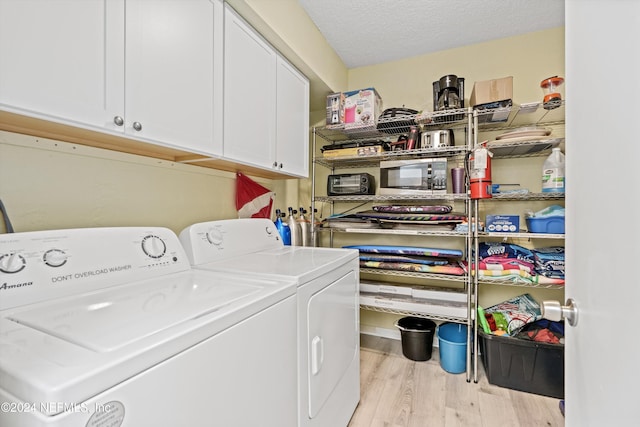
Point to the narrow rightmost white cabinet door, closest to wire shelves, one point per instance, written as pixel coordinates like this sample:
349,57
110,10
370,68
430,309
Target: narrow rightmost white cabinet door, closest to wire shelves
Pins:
292,130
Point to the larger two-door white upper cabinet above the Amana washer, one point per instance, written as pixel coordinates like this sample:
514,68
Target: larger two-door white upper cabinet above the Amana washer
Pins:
69,61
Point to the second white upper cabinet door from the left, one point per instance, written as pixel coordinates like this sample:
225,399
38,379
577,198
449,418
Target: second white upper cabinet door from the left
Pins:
170,88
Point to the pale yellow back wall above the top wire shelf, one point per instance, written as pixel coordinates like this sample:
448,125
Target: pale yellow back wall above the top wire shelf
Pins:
528,58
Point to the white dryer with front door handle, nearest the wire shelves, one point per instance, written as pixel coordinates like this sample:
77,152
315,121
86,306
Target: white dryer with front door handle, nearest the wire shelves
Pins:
328,307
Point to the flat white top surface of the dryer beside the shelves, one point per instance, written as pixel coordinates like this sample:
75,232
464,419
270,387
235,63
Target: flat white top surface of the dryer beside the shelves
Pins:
300,263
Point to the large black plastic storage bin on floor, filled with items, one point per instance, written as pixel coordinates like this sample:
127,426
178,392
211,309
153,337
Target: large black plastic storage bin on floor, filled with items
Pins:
524,365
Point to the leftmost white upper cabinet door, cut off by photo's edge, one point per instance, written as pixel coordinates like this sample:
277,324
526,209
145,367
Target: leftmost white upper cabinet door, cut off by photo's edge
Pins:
63,60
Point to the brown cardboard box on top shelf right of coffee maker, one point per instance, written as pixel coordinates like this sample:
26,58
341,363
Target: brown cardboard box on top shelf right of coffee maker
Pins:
494,96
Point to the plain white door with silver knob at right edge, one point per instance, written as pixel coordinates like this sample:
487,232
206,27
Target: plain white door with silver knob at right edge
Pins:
603,185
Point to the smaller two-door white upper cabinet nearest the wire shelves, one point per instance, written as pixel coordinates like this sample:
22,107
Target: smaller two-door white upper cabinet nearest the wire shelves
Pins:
266,103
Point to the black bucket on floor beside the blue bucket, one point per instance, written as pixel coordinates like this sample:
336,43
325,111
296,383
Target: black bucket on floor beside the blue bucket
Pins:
417,337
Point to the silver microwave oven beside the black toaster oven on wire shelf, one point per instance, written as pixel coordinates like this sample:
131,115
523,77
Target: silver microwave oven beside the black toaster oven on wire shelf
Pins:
415,176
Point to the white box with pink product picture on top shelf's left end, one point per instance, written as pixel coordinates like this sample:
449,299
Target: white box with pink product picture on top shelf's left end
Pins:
361,109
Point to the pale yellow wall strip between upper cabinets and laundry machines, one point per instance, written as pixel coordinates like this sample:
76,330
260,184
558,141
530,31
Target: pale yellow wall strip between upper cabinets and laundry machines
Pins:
46,184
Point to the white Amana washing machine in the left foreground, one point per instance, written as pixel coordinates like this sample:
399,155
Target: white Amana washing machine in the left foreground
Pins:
112,327
